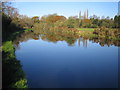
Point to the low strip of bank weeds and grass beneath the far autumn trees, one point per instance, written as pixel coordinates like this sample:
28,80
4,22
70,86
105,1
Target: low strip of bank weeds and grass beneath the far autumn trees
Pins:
103,32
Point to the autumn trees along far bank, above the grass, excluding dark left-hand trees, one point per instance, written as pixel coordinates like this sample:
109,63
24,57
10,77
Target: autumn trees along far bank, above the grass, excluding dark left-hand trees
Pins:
55,20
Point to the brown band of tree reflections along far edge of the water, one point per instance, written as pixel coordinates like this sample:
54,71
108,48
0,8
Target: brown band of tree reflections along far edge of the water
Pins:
70,40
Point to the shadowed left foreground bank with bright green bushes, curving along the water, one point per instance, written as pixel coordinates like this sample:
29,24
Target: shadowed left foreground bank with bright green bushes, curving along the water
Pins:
13,75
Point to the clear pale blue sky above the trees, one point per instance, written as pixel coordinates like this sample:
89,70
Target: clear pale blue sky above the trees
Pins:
67,8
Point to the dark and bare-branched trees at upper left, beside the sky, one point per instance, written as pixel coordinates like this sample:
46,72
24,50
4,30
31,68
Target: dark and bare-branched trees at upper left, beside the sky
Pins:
12,21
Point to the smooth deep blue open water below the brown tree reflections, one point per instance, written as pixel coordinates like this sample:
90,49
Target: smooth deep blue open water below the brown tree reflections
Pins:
84,64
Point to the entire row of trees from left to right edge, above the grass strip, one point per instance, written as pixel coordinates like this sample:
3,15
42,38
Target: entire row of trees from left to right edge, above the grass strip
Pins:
12,21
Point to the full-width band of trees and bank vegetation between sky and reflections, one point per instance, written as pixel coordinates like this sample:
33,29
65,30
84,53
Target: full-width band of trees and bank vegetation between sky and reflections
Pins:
73,25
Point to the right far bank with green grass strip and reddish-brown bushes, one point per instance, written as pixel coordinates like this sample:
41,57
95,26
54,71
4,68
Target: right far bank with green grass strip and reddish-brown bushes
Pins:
108,33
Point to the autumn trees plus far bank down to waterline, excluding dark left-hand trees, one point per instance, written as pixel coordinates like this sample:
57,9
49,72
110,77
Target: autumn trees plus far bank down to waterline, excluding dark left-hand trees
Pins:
93,27
